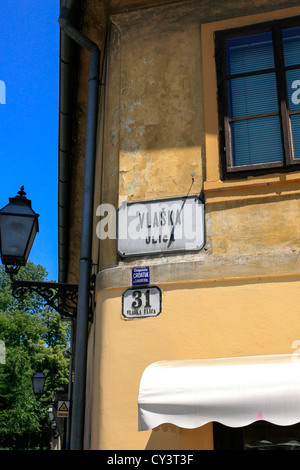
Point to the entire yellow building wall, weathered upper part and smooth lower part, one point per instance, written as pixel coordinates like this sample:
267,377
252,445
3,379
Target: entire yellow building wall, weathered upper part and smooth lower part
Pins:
238,296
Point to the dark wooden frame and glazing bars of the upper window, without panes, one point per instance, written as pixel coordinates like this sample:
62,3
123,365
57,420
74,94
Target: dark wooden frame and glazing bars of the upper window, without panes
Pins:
289,163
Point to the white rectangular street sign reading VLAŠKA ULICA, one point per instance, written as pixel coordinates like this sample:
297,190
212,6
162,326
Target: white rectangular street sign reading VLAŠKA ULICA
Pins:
162,226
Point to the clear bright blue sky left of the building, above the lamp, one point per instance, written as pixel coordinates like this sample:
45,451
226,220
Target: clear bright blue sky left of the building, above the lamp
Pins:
29,66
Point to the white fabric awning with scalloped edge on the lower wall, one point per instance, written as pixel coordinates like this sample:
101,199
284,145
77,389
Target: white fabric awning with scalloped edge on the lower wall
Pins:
233,391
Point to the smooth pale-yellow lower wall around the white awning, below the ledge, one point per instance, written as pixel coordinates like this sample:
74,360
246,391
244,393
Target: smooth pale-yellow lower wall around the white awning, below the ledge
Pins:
198,320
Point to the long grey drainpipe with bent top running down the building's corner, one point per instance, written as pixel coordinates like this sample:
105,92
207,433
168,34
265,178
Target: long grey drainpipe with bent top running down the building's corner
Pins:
79,388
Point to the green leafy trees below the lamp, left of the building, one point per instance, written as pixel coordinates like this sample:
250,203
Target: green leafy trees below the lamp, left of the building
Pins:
34,337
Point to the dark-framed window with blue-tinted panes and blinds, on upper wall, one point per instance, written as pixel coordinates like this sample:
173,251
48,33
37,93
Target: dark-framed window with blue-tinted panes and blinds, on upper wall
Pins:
258,72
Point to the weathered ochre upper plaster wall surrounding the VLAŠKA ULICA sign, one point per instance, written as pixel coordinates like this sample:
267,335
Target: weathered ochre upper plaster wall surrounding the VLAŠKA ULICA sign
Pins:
161,125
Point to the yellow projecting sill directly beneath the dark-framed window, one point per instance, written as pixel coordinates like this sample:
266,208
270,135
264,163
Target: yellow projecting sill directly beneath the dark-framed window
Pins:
277,185
